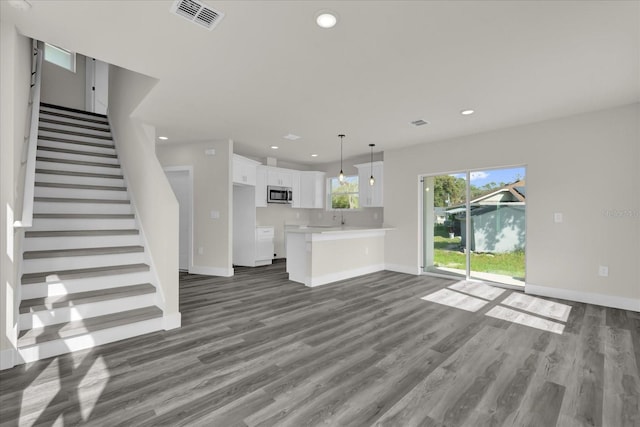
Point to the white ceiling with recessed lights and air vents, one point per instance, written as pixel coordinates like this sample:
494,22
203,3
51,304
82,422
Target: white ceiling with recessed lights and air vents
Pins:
268,70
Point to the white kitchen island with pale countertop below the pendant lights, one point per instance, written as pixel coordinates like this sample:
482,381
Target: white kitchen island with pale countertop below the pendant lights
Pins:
321,255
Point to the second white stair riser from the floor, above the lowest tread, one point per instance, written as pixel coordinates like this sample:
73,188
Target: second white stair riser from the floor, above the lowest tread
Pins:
84,311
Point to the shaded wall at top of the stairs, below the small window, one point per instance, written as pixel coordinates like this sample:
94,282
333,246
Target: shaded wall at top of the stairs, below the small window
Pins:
63,87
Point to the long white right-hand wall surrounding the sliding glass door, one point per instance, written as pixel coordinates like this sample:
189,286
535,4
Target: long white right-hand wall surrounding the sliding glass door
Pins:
586,167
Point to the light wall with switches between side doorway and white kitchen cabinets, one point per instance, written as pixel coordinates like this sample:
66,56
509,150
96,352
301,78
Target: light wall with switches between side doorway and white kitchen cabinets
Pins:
212,193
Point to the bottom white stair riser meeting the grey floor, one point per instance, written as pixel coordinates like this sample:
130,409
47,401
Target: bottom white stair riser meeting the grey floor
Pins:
81,342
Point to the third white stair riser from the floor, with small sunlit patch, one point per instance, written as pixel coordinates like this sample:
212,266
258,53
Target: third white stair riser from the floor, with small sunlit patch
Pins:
86,284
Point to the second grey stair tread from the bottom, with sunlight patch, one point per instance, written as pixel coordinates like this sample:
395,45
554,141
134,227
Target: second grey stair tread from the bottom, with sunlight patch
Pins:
75,299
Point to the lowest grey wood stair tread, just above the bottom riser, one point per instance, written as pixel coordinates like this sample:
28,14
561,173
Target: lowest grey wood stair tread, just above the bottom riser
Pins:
85,326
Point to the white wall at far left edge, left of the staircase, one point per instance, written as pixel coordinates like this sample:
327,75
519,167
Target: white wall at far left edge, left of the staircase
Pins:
15,79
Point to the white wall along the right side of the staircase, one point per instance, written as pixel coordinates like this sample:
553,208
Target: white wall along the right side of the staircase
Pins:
149,188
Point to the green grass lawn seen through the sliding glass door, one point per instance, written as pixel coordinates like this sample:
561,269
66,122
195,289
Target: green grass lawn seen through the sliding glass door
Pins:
448,255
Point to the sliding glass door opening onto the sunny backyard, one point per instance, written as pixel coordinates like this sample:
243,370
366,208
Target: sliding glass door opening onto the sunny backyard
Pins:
474,224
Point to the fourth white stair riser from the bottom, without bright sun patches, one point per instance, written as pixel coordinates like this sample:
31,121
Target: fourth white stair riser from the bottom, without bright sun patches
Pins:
78,262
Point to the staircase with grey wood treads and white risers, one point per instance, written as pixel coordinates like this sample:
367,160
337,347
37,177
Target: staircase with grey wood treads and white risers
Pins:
85,279
